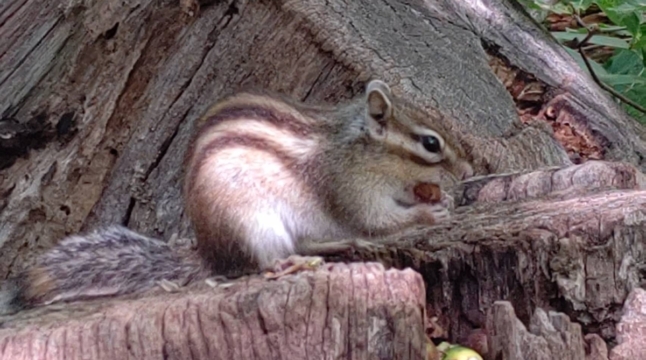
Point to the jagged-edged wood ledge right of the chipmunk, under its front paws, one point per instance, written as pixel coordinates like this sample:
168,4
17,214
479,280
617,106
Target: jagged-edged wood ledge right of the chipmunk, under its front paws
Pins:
573,251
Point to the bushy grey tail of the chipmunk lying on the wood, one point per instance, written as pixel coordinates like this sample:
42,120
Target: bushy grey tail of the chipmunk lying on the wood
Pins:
108,261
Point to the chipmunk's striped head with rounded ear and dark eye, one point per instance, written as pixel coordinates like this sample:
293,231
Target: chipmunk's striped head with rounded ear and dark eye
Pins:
412,133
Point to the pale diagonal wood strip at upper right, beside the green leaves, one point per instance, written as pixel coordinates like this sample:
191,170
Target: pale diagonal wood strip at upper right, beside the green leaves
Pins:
565,97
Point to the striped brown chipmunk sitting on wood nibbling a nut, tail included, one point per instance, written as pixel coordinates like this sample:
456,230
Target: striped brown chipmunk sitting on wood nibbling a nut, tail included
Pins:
268,177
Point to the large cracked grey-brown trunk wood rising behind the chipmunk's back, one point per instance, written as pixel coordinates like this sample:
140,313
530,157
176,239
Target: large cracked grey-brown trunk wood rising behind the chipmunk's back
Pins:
135,87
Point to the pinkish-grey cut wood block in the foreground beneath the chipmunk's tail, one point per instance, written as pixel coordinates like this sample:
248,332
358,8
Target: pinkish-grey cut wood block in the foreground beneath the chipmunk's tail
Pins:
356,311
